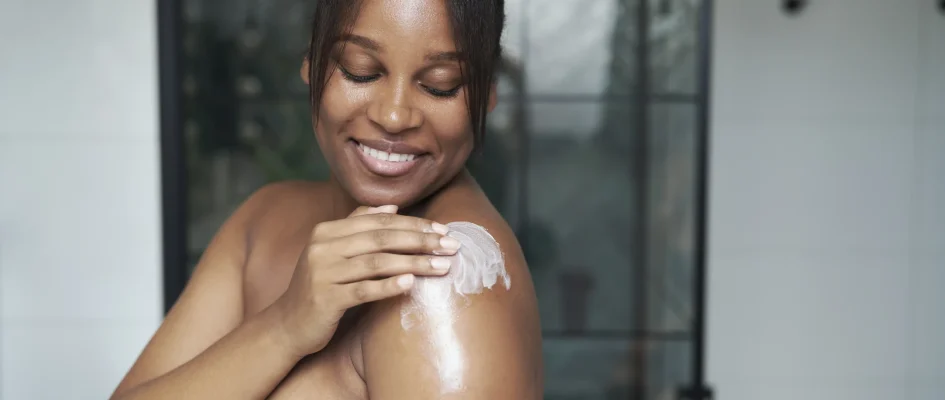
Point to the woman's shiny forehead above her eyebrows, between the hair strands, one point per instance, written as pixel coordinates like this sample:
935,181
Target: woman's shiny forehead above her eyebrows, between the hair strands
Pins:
407,22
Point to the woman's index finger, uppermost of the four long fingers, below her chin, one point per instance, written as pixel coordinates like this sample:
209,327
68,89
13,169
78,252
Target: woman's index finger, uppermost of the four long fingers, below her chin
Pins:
369,222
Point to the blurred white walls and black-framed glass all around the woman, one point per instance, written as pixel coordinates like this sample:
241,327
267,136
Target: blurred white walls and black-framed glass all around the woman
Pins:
736,195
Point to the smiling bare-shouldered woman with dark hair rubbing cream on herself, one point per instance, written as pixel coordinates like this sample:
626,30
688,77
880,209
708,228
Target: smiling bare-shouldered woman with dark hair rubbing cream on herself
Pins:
301,292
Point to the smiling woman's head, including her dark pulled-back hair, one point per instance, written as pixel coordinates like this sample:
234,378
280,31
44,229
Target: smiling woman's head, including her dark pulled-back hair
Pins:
410,74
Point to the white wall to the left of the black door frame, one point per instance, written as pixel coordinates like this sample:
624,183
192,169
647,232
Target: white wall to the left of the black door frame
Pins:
79,194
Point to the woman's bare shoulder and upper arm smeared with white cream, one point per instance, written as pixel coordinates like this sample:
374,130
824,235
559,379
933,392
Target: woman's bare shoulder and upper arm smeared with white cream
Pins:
448,340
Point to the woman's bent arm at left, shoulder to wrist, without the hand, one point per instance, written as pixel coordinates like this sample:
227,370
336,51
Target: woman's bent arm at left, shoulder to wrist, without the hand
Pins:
204,349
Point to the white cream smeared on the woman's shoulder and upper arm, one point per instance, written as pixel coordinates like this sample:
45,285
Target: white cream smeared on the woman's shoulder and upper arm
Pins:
435,302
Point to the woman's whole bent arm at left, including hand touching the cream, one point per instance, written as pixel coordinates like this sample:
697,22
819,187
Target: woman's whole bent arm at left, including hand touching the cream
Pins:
205,350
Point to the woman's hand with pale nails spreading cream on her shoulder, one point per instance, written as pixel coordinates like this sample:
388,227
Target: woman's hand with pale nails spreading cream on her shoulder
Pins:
371,255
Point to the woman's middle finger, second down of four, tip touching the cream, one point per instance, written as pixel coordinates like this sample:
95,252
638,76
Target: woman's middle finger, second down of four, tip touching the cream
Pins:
394,241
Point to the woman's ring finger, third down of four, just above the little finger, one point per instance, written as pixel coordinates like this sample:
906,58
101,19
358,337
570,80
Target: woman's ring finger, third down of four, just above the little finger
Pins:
383,265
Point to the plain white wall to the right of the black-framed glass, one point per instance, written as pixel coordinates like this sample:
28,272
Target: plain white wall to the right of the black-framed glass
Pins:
827,224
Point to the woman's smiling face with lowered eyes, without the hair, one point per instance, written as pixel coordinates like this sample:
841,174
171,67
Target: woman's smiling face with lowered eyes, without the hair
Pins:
394,124
